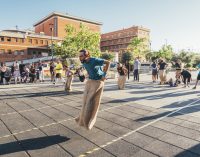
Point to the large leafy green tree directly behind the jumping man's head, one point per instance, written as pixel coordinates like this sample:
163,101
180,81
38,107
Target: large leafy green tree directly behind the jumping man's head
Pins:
75,40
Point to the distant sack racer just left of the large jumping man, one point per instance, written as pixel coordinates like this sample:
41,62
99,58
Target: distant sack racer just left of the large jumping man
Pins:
69,78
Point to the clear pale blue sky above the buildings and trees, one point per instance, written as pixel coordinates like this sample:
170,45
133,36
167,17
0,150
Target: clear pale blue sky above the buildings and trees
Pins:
175,22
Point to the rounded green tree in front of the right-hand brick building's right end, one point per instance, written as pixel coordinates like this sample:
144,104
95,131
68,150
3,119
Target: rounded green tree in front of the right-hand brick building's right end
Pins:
138,47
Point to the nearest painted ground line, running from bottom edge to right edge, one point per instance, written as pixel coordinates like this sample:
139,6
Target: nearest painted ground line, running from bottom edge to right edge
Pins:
133,131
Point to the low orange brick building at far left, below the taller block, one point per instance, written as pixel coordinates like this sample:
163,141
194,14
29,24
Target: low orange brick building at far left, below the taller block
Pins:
19,45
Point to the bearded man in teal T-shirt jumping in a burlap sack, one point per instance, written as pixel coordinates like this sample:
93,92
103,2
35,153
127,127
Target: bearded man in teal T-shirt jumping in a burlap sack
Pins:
93,88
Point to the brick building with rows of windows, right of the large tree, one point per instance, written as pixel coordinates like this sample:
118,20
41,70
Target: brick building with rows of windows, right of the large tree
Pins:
118,41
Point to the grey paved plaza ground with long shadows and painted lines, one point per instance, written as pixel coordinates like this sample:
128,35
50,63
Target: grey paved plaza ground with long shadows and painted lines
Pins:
144,120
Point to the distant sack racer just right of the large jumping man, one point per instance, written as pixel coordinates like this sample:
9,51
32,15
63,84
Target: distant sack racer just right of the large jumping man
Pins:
122,71
